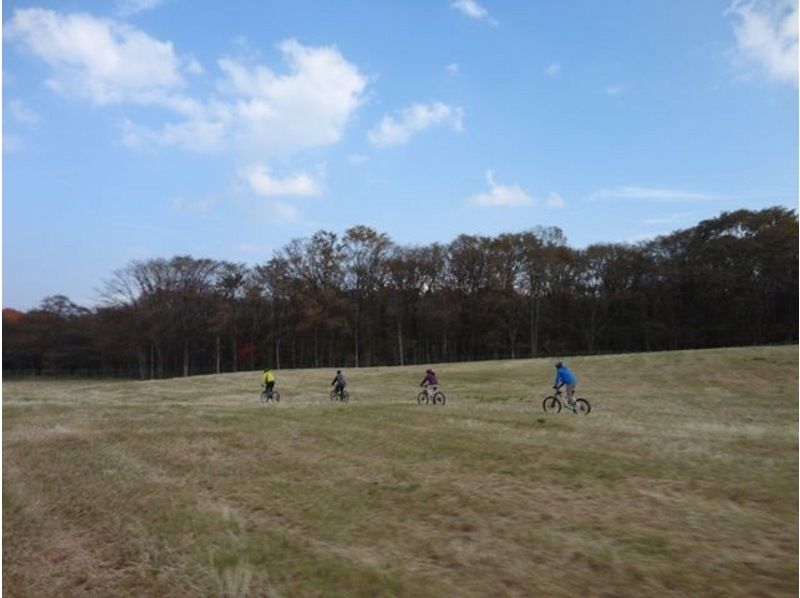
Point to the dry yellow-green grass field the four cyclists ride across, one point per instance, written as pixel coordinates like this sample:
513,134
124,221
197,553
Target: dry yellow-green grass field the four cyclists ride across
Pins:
683,481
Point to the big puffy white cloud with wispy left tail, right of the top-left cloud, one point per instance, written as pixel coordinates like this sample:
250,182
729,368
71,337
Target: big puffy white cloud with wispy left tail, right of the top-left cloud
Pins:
263,114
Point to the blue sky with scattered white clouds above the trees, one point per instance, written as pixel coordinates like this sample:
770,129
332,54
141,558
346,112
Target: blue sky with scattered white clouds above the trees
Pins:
138,129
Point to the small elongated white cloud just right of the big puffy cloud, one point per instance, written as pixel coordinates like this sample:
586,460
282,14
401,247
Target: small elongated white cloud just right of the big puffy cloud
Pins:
398,128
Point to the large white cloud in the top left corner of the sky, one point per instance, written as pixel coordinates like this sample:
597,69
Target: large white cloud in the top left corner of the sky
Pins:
101,60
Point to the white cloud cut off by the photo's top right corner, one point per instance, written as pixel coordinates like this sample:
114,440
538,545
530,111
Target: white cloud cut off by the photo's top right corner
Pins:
766,34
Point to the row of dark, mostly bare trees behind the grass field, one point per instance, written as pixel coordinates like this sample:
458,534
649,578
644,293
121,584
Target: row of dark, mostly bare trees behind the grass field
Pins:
359,299
